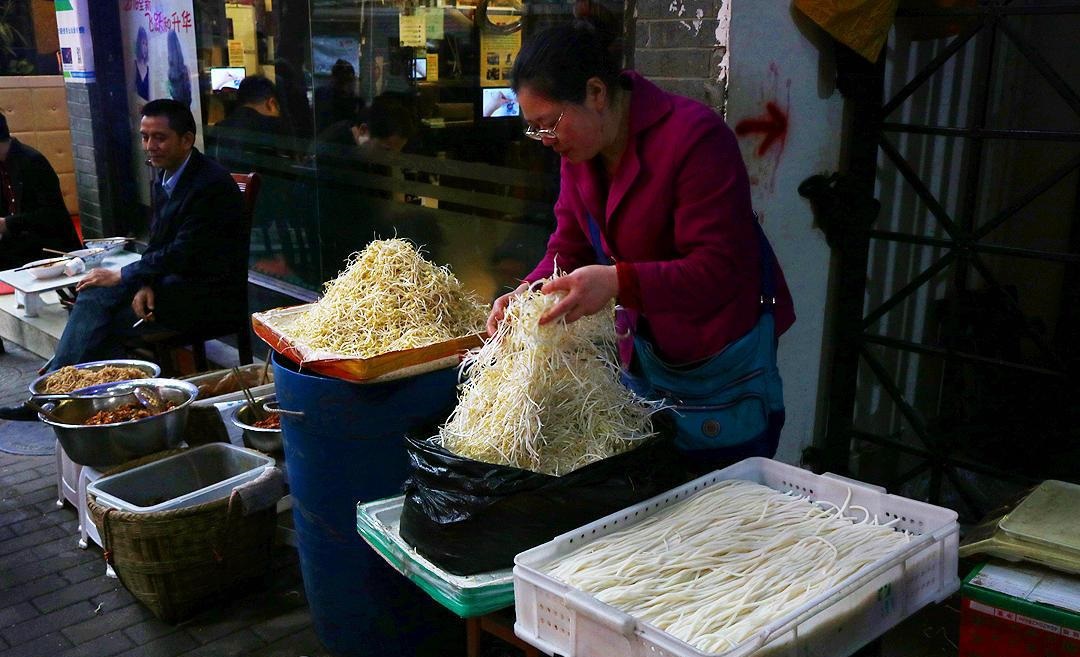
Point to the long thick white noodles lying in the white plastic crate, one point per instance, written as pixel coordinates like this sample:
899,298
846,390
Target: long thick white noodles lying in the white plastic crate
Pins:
719,567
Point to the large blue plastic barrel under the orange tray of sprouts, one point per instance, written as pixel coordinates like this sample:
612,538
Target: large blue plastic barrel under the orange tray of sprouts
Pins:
347,448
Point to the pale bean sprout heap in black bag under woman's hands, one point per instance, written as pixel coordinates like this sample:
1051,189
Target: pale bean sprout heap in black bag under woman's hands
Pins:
546,399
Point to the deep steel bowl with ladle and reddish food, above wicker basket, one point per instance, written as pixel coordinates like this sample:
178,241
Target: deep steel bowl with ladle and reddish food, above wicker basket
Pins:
100,446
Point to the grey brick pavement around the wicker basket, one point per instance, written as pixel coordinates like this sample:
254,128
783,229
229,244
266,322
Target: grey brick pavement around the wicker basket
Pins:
56,600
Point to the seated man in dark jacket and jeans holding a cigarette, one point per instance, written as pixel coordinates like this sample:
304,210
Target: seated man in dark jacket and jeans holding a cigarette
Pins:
194,274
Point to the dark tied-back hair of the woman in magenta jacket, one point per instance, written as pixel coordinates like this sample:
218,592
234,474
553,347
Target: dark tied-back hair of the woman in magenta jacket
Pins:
559,62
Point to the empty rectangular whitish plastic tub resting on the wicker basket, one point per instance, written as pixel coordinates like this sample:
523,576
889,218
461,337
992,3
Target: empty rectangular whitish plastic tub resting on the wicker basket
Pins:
196,477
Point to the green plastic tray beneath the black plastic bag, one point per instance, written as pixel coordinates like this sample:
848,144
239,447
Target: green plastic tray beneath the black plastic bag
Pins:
471,596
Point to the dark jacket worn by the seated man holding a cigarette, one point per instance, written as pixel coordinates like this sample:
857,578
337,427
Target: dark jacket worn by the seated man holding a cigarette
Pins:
197,254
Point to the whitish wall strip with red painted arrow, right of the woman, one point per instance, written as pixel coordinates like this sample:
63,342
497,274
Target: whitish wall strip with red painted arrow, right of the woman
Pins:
779,57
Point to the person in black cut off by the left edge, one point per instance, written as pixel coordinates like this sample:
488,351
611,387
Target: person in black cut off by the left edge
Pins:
33,213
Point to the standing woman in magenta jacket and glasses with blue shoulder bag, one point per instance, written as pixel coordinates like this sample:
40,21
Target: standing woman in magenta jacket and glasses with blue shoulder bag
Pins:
655,211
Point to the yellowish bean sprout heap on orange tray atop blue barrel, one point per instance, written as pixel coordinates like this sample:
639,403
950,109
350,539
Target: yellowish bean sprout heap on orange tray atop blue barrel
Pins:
389,299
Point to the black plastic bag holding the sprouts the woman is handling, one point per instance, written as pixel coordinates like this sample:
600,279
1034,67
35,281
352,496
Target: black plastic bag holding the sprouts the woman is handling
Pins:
469,517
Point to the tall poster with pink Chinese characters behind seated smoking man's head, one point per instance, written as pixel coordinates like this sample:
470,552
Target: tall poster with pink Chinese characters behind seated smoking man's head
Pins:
160,60
